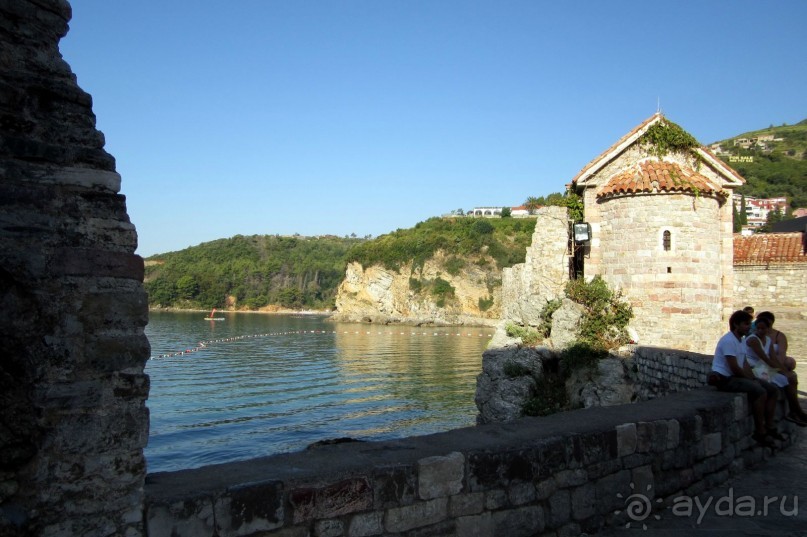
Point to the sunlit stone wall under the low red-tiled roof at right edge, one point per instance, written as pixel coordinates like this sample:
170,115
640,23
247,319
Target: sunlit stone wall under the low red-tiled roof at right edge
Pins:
768,287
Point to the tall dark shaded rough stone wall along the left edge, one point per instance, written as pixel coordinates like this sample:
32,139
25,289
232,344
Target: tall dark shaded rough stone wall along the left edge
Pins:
72,305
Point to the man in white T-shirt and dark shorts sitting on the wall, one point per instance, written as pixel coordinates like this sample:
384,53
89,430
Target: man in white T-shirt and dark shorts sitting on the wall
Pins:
730,373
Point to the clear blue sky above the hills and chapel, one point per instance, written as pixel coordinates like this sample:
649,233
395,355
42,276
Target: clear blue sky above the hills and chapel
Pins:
338,117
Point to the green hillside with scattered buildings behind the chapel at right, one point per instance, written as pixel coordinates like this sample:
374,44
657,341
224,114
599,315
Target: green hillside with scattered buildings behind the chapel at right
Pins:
778,169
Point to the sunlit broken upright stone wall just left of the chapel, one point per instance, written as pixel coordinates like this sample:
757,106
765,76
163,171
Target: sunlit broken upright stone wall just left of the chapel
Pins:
527,287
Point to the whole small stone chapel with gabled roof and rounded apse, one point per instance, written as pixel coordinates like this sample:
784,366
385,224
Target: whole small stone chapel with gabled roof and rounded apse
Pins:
661,229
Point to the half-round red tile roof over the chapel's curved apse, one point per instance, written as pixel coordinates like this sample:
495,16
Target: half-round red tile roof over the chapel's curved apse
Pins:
658,176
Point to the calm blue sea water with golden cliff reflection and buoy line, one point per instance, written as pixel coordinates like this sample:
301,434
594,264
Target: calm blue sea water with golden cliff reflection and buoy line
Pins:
265,384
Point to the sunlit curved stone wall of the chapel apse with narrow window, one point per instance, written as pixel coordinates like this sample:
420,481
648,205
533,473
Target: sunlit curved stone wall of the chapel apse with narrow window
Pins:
677,294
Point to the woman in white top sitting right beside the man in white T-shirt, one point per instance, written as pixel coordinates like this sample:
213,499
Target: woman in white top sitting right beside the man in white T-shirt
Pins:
766,366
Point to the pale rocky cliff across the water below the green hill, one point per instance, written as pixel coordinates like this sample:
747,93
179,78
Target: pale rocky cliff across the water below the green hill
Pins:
421,295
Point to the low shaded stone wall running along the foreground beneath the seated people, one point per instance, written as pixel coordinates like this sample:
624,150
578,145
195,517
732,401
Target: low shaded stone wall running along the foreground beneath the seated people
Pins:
559,475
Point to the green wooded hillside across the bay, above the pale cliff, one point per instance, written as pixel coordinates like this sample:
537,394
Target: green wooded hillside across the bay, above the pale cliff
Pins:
305,272
